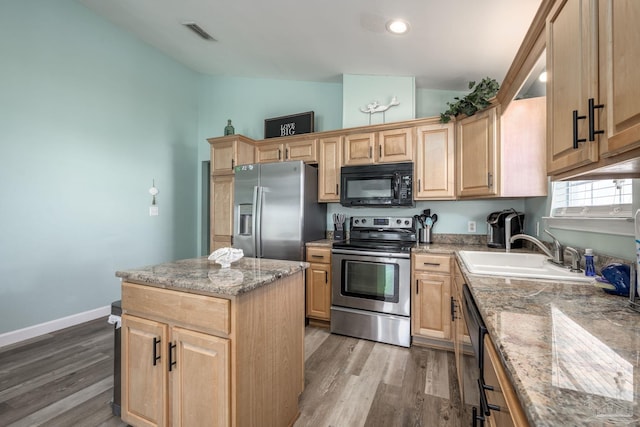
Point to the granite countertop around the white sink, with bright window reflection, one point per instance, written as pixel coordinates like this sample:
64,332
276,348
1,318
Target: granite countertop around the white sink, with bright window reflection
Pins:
572,351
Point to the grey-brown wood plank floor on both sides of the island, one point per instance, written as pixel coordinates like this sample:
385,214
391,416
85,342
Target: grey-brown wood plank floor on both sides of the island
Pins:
65,379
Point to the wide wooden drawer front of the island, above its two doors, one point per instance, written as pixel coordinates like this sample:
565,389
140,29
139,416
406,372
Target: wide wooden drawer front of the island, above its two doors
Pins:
200,312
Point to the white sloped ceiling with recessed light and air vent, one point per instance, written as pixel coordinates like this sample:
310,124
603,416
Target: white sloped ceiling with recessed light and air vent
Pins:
449,43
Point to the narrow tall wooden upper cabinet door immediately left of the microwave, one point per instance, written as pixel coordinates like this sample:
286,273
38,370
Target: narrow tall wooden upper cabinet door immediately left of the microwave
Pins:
329,166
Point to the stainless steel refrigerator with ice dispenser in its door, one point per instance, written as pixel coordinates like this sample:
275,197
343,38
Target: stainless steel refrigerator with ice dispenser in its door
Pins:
276,210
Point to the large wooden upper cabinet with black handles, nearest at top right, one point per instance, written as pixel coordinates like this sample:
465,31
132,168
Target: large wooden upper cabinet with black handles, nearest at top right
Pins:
593,113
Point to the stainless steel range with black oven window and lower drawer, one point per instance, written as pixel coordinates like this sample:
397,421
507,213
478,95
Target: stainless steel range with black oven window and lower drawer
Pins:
371,273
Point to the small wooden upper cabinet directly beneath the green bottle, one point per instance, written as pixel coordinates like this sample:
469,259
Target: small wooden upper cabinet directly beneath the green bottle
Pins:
228,152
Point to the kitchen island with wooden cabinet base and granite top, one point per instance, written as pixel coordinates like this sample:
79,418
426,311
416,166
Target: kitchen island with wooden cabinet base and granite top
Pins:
203,345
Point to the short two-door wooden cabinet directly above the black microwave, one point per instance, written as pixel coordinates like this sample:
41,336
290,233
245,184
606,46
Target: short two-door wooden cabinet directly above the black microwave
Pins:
388,146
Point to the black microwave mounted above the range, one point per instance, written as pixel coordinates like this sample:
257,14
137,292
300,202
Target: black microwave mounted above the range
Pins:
384,185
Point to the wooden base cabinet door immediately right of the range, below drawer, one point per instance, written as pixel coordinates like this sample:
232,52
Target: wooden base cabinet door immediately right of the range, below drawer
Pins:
431,310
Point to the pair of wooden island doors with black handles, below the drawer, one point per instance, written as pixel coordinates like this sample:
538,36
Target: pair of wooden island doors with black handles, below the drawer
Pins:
198,386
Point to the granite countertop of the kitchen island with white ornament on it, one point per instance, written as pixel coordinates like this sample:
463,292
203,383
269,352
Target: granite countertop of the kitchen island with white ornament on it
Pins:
199,275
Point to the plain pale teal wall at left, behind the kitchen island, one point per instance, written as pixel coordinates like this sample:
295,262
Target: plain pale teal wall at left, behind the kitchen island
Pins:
89,116
